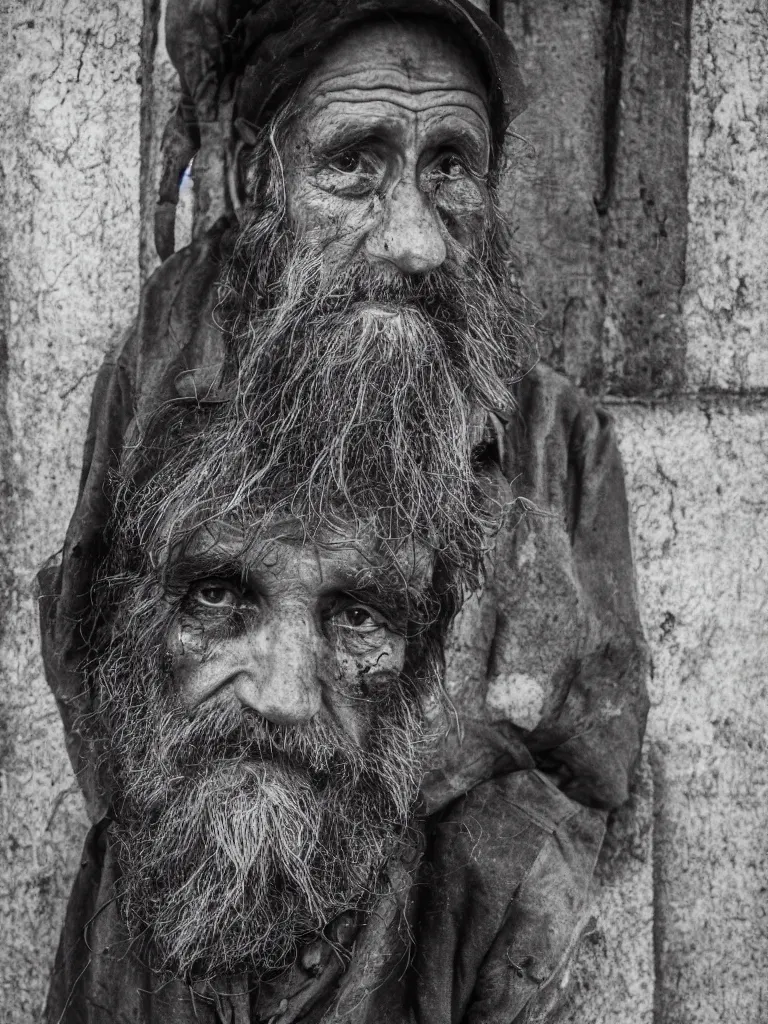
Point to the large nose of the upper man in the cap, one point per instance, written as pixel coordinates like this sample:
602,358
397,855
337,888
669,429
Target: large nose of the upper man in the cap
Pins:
409,234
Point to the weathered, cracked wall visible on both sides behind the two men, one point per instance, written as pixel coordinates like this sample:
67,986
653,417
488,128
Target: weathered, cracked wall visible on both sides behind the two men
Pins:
638,191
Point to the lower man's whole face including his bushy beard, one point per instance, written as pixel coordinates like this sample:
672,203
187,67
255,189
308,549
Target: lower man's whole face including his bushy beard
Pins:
265,740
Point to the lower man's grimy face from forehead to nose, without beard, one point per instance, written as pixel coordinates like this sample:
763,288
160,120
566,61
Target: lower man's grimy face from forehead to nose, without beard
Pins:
295,631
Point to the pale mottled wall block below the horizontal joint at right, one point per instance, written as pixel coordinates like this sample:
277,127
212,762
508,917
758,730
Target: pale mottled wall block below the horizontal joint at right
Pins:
697,478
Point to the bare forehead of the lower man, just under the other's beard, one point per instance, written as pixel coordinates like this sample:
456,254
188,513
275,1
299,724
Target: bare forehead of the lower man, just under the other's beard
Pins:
330,556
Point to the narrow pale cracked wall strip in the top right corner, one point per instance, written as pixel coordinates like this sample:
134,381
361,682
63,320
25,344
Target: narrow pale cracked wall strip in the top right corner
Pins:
727,296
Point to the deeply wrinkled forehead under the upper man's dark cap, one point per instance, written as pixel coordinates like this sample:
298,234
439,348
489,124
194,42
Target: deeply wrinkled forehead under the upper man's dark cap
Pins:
415,63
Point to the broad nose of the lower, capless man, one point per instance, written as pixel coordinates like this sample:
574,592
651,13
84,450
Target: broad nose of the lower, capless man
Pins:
279,675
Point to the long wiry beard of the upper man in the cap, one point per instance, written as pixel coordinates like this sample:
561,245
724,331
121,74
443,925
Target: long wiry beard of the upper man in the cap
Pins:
362,395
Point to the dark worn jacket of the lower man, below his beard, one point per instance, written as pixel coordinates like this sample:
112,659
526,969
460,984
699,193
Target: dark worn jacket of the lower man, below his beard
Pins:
479,924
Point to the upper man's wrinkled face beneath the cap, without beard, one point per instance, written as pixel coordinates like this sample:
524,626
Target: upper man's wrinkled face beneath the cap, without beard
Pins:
390,155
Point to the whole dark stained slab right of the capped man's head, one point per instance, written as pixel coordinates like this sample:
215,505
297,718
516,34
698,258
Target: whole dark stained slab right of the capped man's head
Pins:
598,187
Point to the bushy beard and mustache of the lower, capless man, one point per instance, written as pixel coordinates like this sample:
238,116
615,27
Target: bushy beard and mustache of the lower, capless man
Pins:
239,839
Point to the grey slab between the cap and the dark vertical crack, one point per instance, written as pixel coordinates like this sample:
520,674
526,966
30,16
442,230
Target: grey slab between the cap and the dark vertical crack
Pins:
556,172
